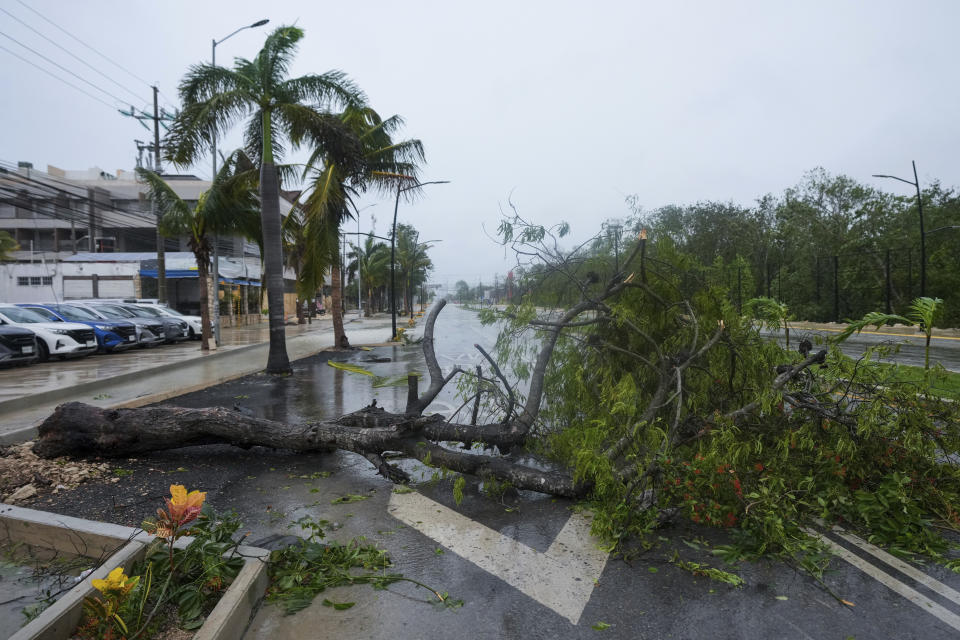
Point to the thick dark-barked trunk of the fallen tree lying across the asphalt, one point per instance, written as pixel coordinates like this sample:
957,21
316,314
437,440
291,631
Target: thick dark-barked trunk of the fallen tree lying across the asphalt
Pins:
80,429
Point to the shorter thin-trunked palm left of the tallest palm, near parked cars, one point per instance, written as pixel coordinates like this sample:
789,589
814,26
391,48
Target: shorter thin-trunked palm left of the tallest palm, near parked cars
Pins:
229,206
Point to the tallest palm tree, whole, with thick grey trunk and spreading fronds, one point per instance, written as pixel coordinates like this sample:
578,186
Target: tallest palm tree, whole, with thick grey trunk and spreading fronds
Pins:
278,109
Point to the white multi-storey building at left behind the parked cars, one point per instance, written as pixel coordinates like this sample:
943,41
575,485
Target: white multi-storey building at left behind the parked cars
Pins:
89,233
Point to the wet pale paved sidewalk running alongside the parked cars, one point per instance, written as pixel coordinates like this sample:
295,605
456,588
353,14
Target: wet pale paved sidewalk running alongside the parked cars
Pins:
140,377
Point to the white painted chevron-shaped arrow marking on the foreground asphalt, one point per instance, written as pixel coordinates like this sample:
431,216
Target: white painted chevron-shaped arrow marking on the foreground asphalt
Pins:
561,579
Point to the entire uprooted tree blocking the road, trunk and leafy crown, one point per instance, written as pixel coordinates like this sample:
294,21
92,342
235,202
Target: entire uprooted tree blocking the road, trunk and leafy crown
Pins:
651,395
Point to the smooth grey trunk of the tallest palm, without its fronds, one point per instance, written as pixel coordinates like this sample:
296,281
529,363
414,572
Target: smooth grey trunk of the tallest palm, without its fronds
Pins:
277,361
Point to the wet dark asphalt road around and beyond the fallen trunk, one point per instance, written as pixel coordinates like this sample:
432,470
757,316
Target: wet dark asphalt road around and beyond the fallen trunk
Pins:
646,598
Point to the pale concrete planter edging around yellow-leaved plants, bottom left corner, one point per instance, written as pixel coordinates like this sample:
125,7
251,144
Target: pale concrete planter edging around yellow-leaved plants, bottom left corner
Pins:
122,546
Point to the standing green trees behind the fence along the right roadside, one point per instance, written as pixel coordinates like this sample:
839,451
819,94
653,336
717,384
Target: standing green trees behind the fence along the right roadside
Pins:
787,246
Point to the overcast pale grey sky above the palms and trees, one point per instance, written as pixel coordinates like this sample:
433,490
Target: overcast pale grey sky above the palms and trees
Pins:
569,105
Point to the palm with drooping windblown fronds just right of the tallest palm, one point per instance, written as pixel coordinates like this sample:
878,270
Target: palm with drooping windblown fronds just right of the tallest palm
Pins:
336,182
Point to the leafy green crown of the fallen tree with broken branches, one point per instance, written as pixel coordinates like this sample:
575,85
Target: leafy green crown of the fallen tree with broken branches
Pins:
668,403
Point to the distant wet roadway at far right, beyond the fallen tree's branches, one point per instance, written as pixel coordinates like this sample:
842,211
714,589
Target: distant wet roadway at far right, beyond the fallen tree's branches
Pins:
943,349
